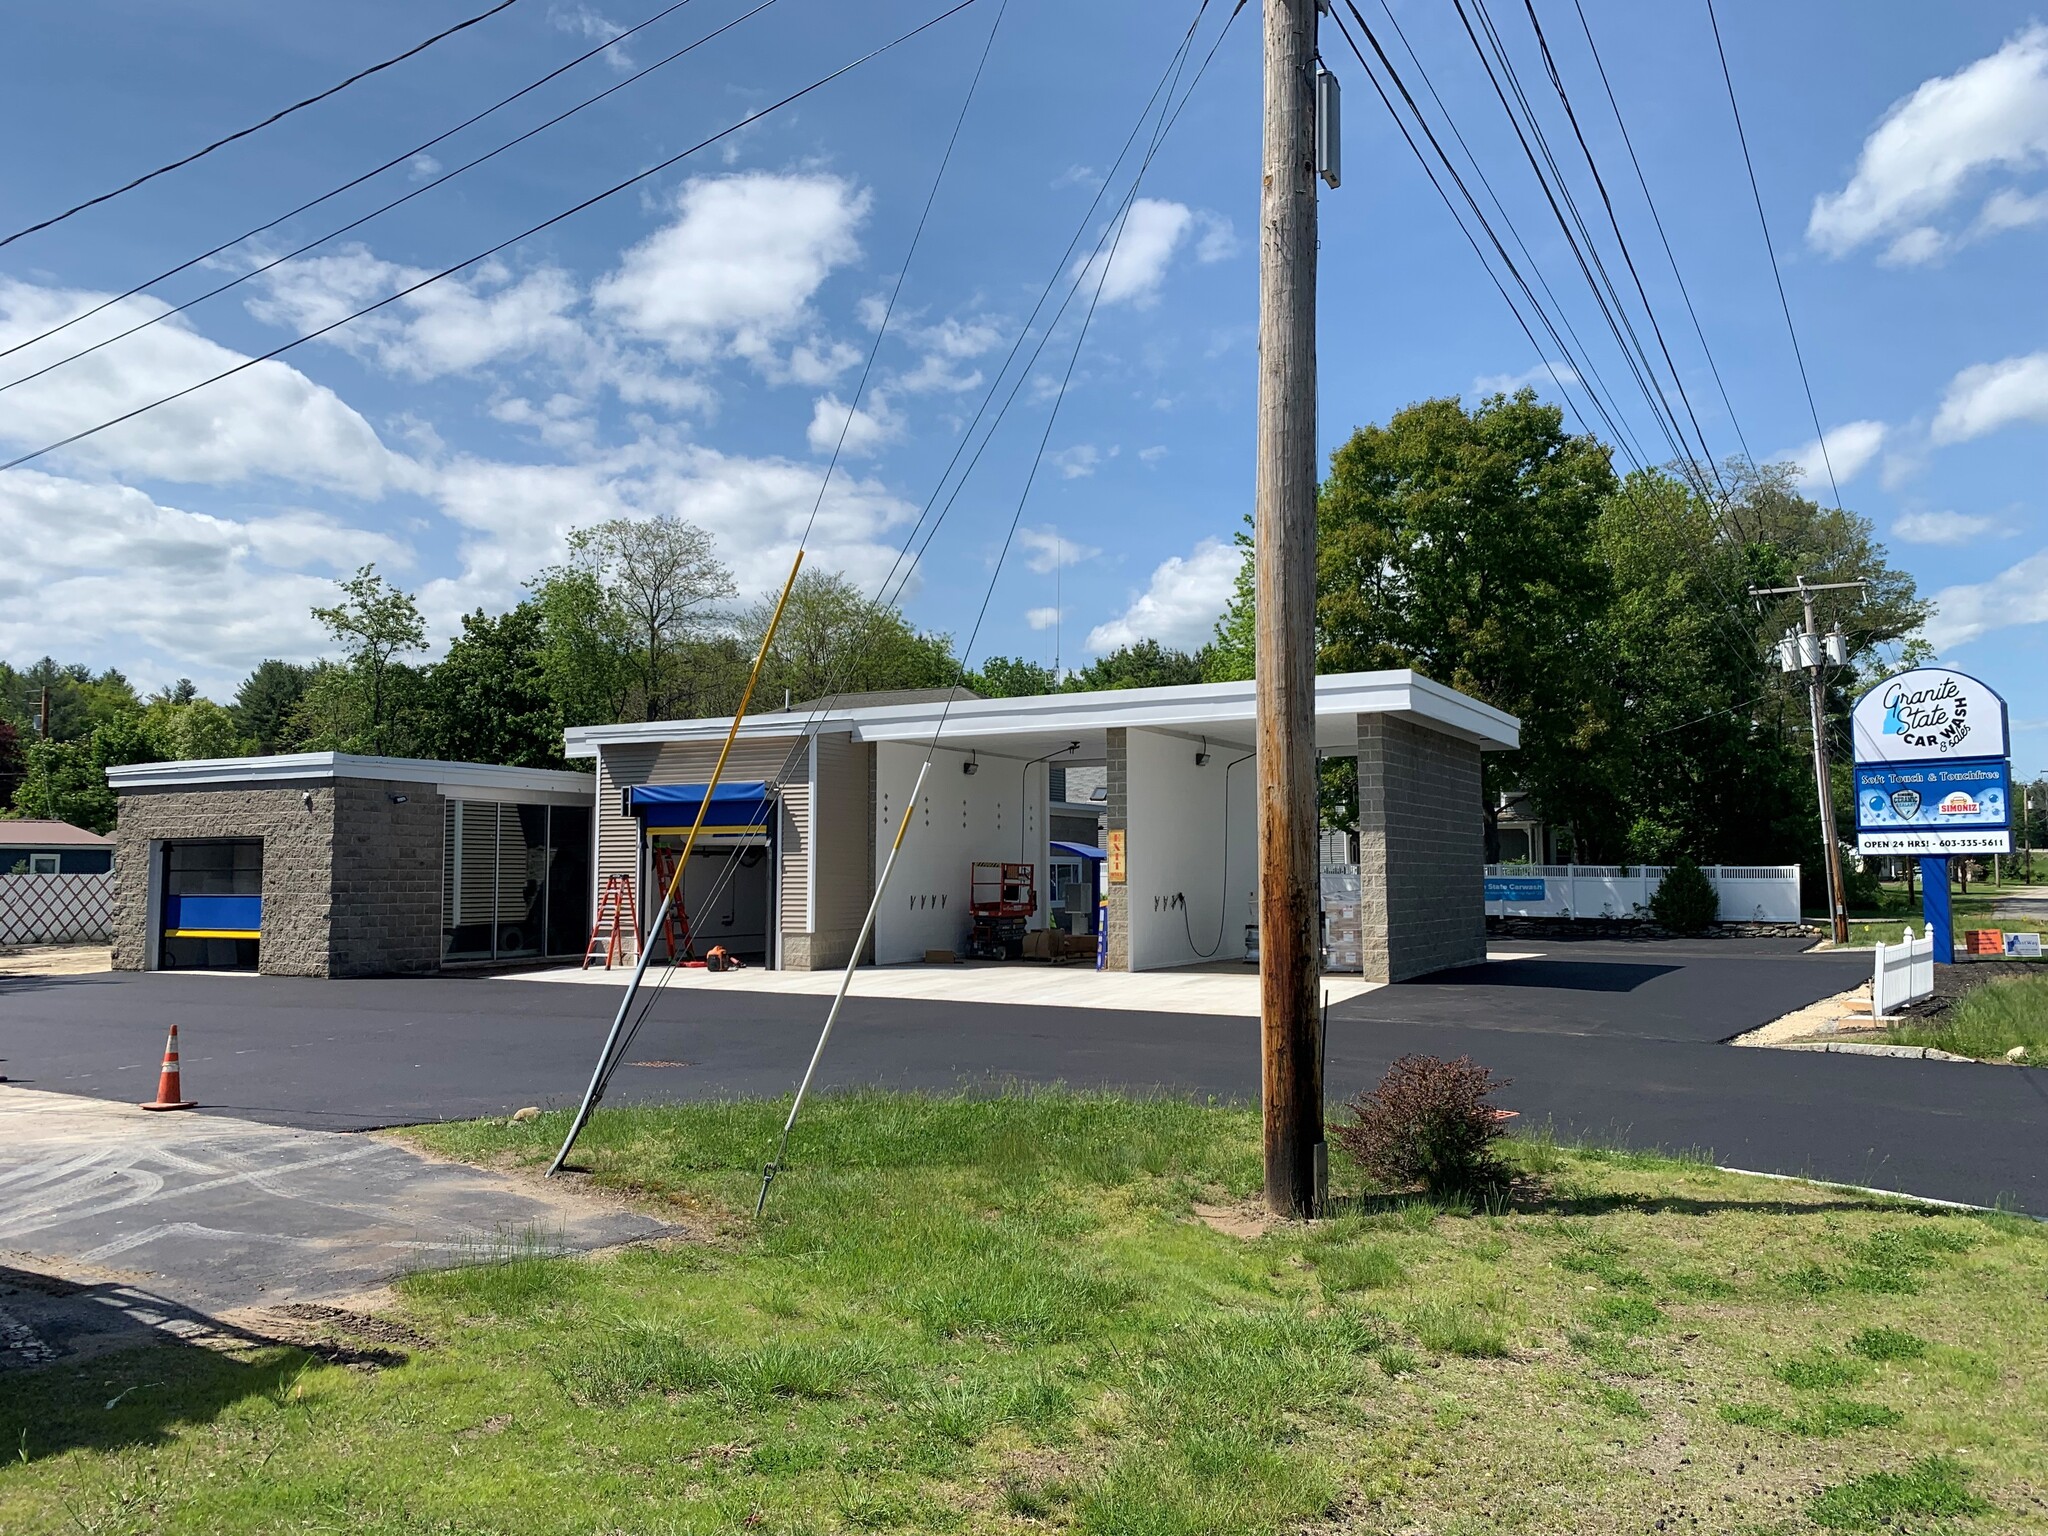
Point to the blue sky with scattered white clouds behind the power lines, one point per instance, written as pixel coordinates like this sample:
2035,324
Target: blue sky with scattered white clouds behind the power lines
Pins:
691,345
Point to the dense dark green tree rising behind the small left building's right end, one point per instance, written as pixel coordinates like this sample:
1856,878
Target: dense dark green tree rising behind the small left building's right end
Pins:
488,699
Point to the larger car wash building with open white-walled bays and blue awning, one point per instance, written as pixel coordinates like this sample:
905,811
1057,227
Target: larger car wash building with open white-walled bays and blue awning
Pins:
790,855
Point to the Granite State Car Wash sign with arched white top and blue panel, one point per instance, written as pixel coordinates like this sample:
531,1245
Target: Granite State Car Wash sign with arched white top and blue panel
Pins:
1932,773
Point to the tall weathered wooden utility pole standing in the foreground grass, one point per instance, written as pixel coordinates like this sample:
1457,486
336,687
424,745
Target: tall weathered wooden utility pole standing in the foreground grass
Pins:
1285,572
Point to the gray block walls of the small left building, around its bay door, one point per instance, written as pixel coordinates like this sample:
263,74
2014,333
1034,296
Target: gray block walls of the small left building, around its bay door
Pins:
366,904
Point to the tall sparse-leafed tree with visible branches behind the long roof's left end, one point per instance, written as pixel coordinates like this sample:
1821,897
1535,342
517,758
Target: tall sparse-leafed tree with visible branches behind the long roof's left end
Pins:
656,585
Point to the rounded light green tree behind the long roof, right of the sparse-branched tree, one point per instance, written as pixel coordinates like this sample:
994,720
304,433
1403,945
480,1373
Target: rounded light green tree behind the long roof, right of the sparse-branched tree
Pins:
835,640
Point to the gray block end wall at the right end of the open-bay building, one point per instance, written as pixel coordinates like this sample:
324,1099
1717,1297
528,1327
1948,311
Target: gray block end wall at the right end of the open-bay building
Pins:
1422,851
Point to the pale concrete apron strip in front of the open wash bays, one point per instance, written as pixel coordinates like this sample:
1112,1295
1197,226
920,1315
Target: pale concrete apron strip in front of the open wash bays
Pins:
1195,990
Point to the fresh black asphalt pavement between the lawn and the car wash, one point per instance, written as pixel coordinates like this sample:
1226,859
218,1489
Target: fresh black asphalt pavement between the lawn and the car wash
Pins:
1605,1039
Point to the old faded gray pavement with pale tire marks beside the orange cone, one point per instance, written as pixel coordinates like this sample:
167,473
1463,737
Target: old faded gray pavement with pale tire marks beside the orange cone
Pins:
216,1213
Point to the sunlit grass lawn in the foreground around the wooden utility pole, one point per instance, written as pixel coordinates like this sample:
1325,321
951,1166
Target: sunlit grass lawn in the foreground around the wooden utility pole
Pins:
976,1316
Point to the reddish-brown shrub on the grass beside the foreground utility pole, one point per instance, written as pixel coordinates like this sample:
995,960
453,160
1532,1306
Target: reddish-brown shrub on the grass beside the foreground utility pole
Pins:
1428,1123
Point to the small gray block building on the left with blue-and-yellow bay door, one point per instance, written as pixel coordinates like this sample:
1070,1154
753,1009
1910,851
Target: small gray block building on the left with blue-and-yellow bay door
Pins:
335,865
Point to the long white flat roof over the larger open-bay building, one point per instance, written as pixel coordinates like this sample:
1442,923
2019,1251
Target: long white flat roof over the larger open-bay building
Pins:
1222,712
